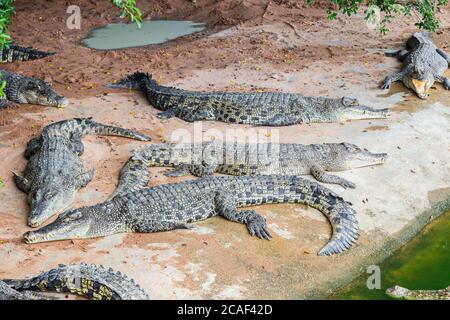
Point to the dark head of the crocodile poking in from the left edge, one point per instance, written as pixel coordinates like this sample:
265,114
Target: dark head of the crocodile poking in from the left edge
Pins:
36,91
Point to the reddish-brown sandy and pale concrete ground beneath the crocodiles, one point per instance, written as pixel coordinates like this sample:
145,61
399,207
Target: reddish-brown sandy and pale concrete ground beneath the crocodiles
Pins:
243,51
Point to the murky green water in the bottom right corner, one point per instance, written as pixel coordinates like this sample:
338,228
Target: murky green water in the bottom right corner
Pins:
423,263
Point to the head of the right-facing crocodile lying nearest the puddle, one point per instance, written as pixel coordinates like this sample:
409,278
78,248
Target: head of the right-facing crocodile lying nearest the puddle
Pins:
350,109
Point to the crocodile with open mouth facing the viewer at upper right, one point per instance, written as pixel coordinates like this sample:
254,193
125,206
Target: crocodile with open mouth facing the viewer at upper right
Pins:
423,64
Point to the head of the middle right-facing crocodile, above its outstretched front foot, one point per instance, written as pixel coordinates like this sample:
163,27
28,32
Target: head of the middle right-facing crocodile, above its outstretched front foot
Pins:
344,156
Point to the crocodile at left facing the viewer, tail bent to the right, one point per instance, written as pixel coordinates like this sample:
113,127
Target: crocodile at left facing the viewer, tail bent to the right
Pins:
54,171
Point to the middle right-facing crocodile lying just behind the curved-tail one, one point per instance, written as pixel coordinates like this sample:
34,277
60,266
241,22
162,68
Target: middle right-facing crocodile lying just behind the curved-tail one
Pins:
234,158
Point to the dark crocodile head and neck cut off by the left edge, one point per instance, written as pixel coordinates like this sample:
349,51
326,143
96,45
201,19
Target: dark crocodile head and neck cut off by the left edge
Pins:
23,89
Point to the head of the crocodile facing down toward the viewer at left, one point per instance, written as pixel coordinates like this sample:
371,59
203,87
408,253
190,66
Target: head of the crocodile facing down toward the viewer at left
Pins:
54,195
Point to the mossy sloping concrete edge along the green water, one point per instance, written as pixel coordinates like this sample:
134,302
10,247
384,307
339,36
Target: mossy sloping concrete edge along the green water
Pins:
383,250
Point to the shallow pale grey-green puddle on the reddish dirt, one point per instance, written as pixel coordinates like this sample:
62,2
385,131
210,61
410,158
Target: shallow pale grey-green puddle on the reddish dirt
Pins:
128,35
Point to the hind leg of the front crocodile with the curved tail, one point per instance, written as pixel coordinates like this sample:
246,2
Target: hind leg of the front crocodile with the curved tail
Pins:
256,224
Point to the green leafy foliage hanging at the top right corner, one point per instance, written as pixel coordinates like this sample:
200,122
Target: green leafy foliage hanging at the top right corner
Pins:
424,11
